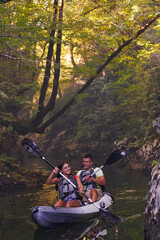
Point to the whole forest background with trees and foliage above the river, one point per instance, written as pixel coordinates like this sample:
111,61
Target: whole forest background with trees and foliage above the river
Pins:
80,77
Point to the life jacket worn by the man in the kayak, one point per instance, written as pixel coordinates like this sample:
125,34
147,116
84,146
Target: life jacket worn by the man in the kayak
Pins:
90,184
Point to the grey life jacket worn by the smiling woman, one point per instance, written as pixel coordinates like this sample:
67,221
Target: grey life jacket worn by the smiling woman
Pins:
66,189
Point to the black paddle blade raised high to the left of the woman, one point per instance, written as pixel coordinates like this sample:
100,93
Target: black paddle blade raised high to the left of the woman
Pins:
30,146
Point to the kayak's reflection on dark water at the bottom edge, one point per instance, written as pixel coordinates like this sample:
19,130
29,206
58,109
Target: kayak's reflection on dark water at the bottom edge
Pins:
94,229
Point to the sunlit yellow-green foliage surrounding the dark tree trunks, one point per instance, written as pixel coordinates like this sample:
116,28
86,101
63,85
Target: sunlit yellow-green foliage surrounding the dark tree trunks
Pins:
120,104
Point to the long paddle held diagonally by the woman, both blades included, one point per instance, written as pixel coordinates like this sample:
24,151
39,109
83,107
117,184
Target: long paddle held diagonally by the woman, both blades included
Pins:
30,146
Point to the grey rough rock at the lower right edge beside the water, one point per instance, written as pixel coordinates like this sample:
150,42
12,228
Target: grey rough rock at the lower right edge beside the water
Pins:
152,210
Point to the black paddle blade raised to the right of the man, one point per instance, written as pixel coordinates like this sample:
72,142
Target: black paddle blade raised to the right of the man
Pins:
115,156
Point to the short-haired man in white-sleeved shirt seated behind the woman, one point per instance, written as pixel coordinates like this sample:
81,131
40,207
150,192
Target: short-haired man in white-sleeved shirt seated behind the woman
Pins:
91,184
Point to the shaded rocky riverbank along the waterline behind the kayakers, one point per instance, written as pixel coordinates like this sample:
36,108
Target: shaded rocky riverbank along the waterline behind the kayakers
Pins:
13,176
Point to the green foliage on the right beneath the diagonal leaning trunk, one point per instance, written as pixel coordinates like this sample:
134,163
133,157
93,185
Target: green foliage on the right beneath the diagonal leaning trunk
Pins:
125,101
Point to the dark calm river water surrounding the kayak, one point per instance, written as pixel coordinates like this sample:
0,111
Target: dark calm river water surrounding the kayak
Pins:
128,188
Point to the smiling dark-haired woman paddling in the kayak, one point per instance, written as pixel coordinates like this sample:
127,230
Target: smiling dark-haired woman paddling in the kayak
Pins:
68,195
